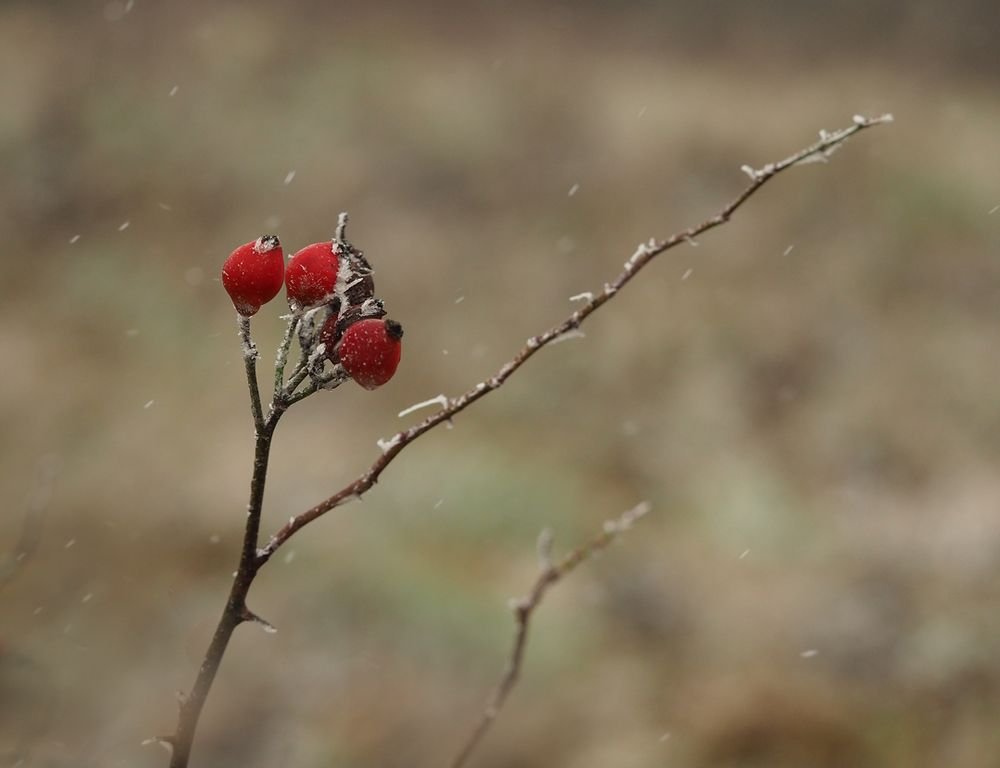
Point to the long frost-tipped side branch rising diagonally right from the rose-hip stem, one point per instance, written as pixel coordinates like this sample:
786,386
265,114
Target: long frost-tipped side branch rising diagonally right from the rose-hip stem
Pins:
645,253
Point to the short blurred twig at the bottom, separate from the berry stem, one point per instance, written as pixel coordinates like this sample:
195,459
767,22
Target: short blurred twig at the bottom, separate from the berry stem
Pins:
525,607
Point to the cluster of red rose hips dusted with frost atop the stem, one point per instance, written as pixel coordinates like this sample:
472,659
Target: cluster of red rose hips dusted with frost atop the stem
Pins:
331,290
